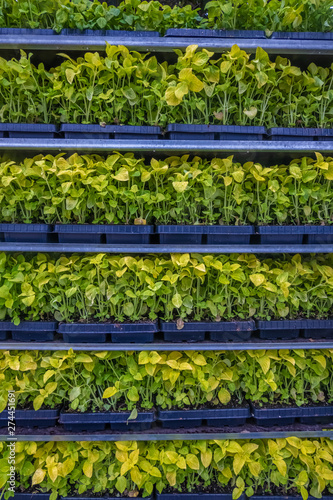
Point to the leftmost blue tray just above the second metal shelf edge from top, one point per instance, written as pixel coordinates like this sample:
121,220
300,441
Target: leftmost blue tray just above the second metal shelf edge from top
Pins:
28,130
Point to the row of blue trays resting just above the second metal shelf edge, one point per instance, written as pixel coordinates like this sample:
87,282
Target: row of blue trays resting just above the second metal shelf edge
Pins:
173,131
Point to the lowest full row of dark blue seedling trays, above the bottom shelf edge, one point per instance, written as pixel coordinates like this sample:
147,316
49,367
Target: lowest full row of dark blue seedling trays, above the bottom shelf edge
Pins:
172,419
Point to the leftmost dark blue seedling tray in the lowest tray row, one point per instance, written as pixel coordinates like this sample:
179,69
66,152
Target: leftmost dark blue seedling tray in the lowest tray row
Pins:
31,418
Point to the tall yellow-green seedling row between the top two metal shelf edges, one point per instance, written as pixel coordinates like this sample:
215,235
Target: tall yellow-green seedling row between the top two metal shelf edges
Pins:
131,88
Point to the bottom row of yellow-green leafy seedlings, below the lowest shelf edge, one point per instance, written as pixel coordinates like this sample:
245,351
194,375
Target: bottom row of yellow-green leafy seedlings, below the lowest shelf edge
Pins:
291,463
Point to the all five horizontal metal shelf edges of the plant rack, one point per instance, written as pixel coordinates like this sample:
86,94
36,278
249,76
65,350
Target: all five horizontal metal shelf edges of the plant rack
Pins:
49,45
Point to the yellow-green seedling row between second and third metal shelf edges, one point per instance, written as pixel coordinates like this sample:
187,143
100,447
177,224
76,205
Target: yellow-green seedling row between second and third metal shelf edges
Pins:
123,189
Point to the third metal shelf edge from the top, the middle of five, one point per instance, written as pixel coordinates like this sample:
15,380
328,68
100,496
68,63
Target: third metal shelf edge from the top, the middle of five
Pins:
142,249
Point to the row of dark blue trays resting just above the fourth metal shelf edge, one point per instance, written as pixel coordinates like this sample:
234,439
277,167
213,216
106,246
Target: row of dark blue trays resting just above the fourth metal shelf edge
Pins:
145,332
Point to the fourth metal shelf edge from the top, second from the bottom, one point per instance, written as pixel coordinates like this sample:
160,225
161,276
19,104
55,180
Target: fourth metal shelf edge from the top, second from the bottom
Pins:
250,345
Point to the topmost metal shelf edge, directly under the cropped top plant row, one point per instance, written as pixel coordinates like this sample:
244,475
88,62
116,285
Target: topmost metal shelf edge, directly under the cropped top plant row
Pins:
163,44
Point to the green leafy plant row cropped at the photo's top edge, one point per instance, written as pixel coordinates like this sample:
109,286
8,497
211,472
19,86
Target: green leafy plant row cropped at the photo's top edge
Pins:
273,15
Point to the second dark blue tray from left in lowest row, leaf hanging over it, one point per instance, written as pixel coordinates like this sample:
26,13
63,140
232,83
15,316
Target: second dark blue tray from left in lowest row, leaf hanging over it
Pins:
98,421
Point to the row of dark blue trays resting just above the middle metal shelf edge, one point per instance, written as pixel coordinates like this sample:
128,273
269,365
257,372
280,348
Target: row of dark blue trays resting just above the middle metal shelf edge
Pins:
119,234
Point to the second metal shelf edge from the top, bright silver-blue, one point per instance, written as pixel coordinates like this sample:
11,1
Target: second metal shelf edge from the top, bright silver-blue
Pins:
165,146
